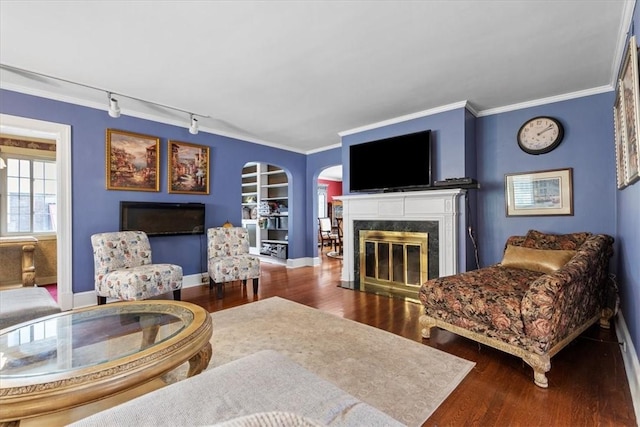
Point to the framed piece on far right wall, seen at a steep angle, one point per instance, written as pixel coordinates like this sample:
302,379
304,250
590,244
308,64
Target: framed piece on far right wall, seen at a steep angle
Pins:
630,97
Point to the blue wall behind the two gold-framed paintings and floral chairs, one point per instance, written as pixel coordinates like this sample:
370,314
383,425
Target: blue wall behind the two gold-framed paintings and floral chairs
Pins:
96,209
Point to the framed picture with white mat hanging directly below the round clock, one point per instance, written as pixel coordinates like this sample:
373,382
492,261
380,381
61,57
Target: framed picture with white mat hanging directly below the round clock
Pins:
539,193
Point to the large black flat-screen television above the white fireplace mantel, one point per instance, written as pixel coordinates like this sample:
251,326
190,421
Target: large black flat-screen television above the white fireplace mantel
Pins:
398,163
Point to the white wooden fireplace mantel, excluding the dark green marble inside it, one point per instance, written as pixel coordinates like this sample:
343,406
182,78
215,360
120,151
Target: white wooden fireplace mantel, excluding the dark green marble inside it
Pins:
431,205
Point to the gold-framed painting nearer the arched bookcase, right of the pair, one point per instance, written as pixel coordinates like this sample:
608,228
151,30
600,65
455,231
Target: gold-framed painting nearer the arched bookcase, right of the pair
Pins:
188,168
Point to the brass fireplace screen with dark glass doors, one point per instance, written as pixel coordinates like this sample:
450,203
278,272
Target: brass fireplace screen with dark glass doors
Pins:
393,262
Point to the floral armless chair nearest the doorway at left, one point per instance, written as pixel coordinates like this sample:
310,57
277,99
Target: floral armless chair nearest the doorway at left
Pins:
124,270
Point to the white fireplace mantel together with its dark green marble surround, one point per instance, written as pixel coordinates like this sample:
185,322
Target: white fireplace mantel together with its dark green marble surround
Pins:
433,211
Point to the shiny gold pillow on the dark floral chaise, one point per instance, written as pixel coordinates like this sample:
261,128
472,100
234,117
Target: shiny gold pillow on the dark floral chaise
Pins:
542,260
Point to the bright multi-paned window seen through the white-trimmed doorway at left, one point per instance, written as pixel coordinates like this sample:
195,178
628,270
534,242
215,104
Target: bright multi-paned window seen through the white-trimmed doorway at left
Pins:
28,196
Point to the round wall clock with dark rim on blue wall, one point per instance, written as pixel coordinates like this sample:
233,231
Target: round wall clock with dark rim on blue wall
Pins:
540,135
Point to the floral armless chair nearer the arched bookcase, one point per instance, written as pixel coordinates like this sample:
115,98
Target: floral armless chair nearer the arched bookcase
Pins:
228,258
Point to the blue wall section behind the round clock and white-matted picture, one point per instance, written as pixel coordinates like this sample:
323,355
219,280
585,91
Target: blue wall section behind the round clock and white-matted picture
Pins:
587,148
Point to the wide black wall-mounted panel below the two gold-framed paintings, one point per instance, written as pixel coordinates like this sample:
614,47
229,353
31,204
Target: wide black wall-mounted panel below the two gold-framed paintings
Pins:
162,219
